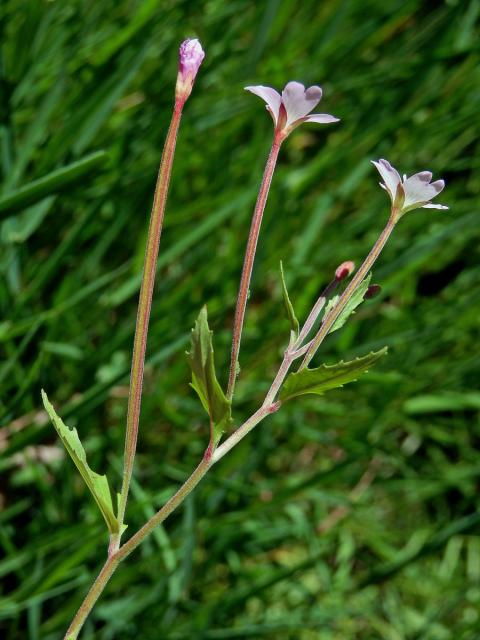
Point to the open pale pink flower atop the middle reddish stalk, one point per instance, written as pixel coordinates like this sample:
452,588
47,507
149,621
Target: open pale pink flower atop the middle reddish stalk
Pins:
292,107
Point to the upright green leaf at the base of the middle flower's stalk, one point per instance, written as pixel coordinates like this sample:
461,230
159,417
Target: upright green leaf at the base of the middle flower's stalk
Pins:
204,380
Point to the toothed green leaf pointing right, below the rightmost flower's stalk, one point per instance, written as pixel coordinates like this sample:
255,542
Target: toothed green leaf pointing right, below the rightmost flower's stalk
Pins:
328,377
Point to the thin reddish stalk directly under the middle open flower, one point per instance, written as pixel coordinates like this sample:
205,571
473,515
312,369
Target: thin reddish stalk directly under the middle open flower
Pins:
249,260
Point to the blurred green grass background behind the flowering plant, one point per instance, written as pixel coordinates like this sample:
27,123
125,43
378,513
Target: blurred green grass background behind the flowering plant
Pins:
353,515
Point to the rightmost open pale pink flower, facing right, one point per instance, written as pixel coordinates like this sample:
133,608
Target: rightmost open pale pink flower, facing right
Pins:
409,193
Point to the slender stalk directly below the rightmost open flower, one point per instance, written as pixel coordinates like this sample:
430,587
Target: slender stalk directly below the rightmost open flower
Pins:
352,285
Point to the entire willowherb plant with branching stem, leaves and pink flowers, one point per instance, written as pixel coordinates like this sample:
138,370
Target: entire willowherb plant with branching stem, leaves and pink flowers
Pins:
288,110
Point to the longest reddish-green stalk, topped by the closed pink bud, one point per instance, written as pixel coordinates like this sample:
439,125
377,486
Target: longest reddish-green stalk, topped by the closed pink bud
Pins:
144,307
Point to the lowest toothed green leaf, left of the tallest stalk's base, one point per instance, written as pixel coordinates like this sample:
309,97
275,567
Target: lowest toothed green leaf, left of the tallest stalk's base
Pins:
97,484
